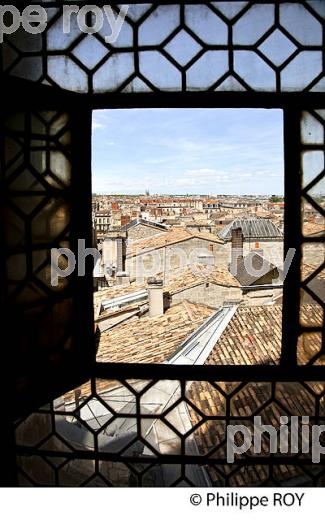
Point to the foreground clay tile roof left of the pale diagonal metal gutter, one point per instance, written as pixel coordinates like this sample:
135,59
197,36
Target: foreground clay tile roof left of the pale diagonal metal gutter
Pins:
152,340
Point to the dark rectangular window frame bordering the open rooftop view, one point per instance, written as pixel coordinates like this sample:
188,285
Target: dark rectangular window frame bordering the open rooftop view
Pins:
292,105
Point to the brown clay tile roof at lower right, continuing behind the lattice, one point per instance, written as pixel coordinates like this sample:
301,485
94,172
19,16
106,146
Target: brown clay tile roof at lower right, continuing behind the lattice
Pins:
253,336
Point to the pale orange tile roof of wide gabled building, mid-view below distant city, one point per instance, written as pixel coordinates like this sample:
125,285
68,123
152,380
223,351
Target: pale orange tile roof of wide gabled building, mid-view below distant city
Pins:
173,236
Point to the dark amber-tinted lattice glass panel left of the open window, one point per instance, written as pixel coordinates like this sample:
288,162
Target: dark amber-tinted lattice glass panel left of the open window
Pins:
37,213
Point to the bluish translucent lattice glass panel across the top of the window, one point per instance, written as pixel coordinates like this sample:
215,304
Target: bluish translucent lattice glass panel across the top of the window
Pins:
209,46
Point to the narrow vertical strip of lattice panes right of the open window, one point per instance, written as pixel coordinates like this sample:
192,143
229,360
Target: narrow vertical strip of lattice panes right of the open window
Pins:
313,237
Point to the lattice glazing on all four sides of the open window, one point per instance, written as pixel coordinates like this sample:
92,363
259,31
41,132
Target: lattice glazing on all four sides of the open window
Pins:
135,431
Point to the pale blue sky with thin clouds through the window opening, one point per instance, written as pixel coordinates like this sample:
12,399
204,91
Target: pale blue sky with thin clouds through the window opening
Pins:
195,151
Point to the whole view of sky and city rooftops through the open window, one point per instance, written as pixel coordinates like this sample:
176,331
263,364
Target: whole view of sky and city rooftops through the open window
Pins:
188,209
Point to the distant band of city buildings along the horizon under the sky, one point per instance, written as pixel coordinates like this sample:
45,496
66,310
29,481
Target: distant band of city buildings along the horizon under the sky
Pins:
112,212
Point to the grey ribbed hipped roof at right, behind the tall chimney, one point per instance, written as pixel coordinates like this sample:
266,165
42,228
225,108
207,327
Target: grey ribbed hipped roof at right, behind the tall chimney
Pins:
253,228
